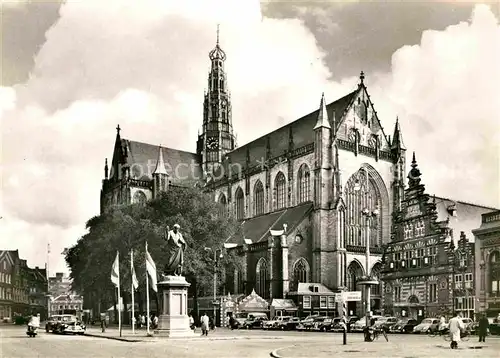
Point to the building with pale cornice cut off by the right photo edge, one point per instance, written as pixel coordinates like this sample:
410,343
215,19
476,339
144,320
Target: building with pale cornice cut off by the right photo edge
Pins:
488,264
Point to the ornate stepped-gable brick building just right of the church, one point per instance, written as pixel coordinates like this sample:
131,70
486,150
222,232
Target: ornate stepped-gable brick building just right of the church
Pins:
428,270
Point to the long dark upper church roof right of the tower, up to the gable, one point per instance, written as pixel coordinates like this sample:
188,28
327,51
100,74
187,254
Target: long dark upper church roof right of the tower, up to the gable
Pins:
302,132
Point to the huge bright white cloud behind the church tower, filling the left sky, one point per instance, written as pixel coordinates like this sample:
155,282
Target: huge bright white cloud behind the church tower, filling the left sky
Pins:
145,66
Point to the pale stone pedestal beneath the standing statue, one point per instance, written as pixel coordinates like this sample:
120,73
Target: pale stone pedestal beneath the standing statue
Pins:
173,320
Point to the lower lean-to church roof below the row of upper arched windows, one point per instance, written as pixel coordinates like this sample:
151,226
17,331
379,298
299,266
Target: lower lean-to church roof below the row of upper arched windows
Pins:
257,228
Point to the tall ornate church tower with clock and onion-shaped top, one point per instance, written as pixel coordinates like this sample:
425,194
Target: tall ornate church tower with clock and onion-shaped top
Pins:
216,137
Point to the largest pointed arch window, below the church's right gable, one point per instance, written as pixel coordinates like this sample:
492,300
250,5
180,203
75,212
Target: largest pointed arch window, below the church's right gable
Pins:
367,197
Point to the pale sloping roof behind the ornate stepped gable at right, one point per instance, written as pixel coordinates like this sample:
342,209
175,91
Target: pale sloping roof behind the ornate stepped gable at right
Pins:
468,216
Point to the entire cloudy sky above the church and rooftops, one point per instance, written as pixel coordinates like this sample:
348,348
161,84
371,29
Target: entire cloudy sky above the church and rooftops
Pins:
71,72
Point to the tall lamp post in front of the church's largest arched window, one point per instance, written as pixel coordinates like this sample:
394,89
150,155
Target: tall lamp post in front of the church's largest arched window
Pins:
367,281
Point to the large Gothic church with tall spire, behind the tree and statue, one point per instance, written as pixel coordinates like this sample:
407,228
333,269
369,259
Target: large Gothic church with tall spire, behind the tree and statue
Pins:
307,182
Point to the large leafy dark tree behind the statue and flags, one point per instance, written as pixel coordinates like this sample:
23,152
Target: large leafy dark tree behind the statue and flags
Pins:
127,228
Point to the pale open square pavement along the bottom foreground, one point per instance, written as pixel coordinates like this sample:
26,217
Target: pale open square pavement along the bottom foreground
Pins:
227,343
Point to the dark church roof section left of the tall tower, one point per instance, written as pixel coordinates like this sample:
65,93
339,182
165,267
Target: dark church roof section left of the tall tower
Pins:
181,166
